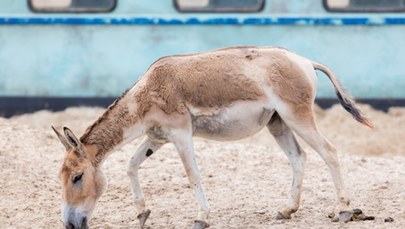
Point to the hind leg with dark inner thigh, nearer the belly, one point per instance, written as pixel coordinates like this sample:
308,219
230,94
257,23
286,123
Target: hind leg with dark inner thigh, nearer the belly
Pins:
286,140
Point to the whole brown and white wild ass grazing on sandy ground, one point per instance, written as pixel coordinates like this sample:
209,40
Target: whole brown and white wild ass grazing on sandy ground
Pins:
226,94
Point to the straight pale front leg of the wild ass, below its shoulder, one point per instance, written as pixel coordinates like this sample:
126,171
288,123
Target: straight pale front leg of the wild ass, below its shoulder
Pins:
183,141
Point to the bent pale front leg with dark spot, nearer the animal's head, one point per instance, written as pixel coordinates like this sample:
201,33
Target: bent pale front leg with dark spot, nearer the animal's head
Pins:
145,150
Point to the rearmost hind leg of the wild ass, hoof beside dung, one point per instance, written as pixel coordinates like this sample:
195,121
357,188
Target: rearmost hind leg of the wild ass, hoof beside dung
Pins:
303,124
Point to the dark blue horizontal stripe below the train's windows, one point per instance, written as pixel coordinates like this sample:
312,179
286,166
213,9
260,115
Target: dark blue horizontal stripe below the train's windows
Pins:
202,21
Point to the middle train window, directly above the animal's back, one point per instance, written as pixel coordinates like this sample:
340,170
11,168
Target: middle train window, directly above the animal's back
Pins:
219,6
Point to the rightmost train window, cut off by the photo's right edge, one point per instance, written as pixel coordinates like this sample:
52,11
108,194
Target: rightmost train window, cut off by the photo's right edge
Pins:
365,5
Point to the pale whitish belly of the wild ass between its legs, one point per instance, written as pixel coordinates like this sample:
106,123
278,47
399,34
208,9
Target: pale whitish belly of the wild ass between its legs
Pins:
238,121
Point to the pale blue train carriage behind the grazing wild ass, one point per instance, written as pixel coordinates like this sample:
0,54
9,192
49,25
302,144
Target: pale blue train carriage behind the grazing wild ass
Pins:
55,54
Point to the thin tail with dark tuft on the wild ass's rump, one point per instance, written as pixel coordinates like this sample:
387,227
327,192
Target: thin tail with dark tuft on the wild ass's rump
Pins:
344,98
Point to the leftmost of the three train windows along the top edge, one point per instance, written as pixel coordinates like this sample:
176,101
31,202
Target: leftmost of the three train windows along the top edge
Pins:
71,6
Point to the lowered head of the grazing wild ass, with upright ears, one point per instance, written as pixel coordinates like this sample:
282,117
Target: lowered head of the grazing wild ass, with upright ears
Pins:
82,181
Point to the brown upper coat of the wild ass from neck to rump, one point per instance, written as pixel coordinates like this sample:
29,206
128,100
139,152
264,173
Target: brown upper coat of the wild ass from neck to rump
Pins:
205,80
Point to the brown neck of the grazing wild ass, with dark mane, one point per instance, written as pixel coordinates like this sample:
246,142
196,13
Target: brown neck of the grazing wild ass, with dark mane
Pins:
108,132
